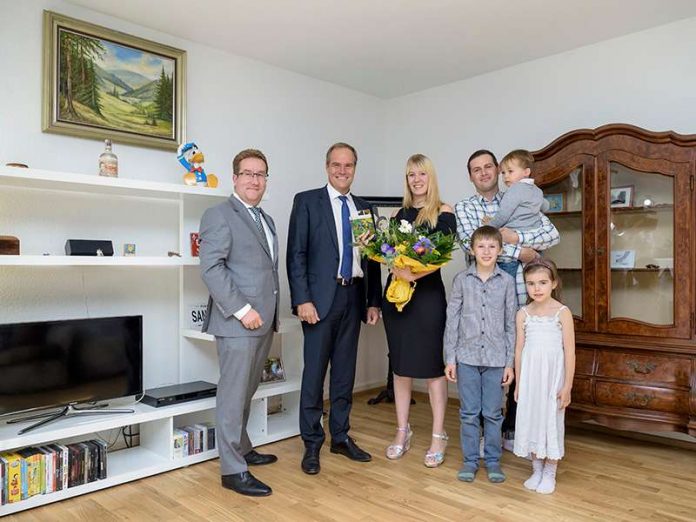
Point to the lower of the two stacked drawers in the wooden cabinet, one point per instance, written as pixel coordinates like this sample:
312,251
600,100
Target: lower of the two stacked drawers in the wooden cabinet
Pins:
641,397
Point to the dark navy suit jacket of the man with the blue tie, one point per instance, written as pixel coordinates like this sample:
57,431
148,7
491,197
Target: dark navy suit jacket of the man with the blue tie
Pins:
312,255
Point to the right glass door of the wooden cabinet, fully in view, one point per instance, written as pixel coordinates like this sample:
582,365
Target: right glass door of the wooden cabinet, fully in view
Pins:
646,254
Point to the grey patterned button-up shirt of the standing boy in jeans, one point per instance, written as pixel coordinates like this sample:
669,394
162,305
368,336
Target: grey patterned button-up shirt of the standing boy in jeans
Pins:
480,328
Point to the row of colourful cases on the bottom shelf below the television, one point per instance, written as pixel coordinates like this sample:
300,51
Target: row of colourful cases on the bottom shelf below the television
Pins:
54,467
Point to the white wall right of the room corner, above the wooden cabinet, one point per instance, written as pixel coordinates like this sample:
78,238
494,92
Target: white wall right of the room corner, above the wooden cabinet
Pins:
645,79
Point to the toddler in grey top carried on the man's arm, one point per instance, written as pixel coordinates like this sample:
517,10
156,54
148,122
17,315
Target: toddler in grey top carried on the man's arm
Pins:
522,203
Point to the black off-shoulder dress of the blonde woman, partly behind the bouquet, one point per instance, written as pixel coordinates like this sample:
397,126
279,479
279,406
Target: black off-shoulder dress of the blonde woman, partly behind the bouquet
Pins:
414,335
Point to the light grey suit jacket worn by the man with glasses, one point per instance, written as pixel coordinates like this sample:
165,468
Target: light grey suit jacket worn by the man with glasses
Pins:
237,268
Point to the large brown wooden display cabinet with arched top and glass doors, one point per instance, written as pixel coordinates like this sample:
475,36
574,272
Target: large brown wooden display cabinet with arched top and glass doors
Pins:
624,201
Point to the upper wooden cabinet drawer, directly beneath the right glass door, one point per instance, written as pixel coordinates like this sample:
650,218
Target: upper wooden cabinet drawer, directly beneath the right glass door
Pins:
647,368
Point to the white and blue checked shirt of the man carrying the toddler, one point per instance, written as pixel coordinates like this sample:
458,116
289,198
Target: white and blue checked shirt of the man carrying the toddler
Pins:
470,213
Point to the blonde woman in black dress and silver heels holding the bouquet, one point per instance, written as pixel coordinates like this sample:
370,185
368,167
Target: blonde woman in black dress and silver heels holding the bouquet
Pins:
414,335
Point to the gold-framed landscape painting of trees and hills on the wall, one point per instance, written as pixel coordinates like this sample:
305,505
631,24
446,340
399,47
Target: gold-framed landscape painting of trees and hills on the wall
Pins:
100,83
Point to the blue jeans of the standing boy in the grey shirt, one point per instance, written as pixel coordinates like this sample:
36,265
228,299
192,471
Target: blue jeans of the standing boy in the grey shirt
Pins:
480,393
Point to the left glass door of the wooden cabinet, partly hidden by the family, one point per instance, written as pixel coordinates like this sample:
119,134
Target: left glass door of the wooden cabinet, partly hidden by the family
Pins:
569,191
